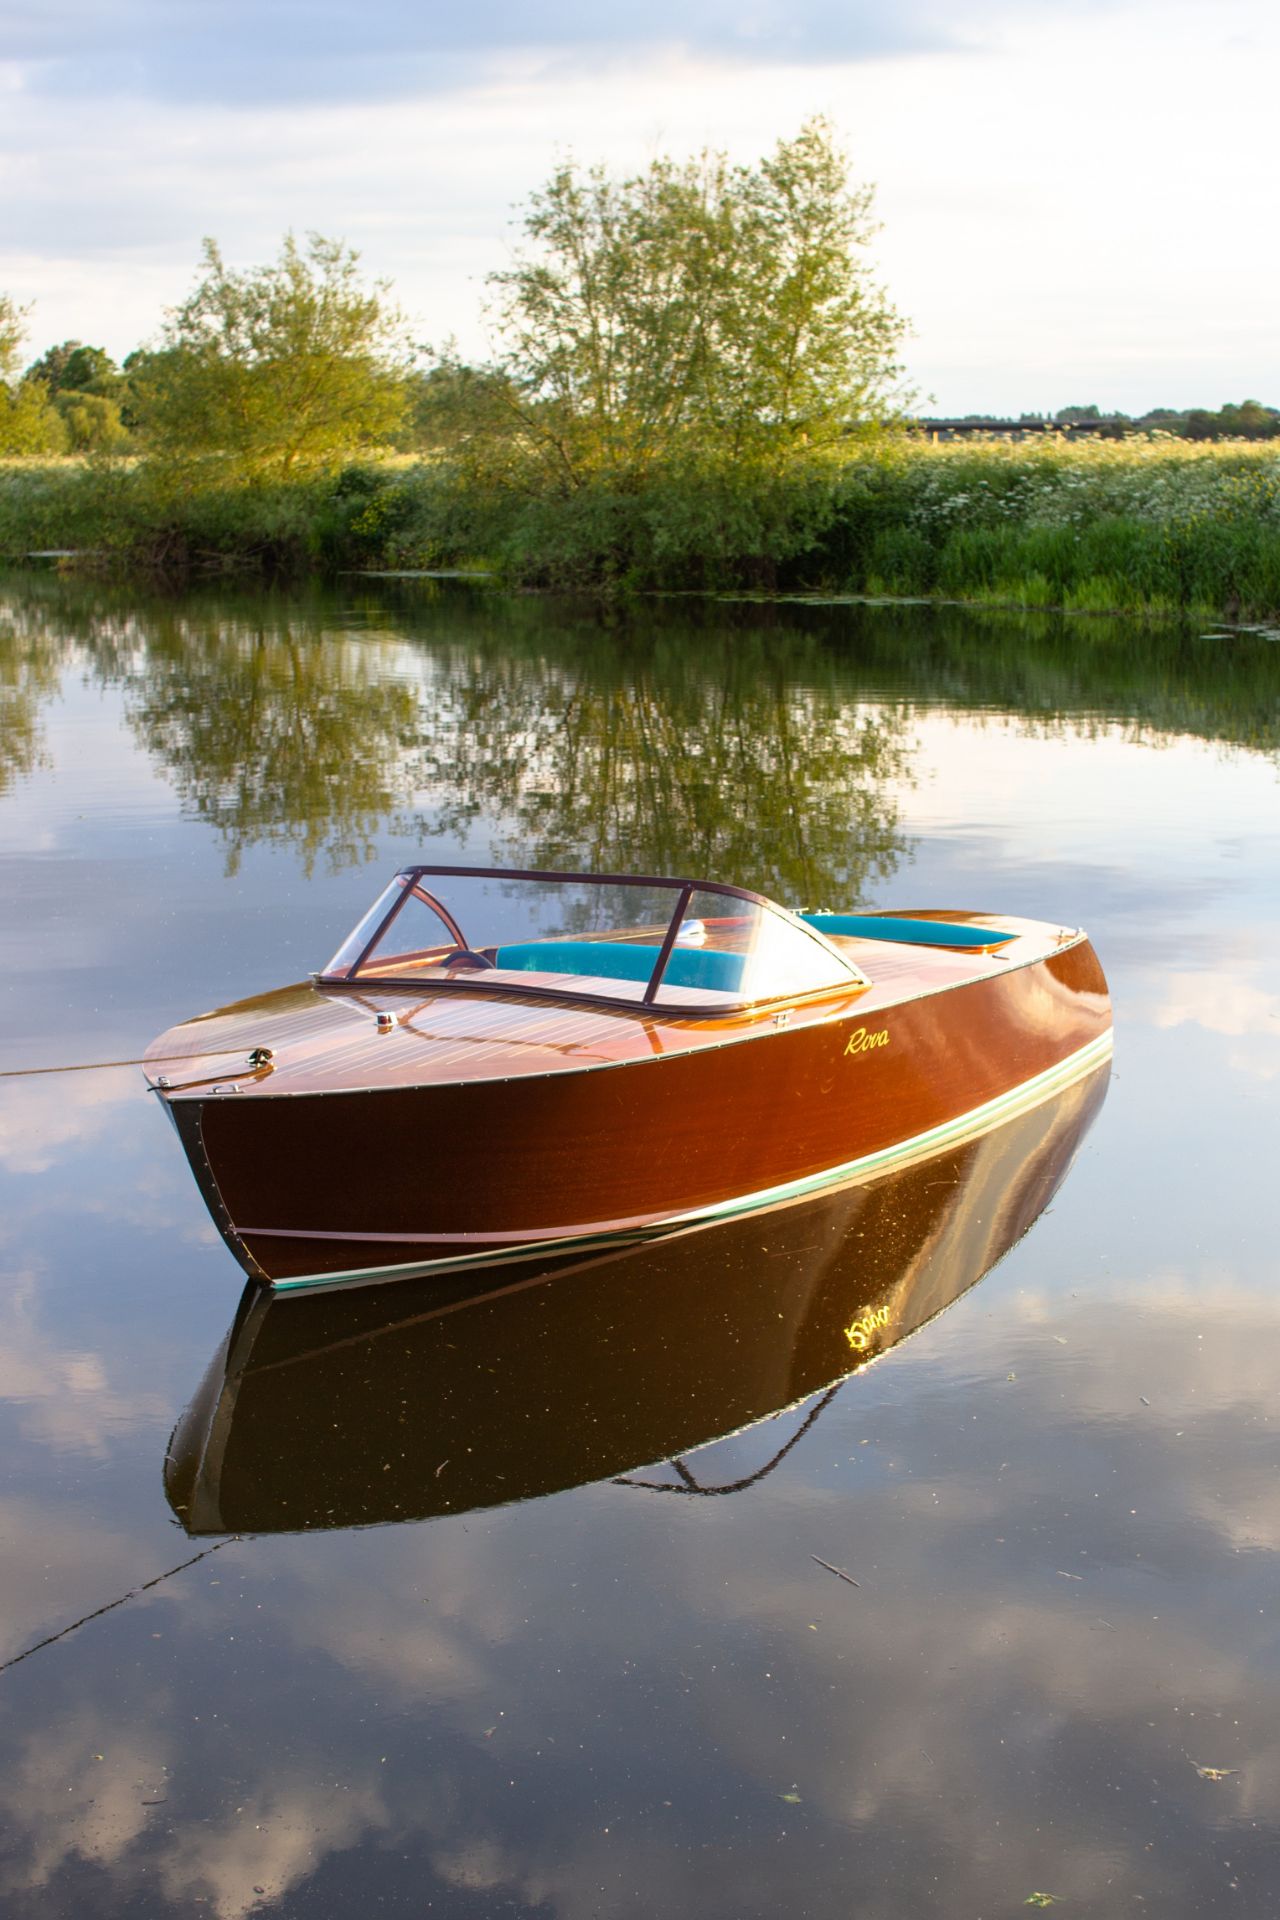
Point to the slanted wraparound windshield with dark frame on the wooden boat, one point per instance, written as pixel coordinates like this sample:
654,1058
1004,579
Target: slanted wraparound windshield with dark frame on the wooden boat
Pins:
600,938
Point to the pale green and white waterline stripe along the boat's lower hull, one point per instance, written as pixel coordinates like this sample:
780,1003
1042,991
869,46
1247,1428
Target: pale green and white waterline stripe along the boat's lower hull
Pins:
978,1120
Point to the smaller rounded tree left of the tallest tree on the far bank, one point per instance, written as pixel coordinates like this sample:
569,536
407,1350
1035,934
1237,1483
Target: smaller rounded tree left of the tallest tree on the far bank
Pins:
277,368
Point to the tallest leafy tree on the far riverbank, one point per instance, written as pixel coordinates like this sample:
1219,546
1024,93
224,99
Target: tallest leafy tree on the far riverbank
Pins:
696,310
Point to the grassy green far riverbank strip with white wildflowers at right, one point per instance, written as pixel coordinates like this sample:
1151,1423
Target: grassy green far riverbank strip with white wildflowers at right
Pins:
1104,527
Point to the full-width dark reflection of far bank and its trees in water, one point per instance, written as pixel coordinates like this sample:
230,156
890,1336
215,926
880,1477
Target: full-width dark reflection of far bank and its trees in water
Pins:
761,744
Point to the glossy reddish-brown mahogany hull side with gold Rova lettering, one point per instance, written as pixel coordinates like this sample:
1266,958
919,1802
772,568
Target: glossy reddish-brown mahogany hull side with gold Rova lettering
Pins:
314,1188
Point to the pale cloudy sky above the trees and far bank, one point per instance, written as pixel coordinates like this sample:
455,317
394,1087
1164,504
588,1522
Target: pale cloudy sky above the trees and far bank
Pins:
1078,197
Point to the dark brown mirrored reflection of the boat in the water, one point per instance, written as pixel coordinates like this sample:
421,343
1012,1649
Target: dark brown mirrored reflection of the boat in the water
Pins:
444,1395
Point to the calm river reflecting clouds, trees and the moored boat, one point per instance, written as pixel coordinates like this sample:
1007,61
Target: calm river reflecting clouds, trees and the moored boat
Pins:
640,1589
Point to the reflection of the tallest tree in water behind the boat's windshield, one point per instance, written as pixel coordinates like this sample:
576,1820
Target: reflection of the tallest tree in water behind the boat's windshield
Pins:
692,750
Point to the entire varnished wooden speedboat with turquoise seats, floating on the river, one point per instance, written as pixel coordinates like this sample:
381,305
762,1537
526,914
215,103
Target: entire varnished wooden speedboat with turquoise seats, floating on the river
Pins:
504,1063
